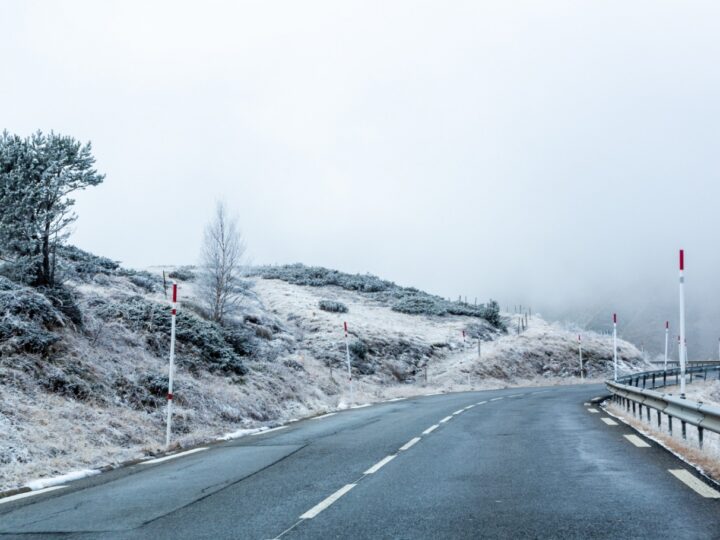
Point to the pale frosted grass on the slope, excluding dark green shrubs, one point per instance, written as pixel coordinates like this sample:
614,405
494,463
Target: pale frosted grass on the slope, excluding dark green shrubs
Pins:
99,413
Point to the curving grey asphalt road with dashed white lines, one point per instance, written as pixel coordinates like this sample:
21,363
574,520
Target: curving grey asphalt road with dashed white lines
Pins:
516,463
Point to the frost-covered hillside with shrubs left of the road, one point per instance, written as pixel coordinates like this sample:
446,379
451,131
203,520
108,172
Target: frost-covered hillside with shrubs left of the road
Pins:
84,379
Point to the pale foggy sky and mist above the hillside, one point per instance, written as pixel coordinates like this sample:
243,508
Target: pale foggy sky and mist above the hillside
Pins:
552,154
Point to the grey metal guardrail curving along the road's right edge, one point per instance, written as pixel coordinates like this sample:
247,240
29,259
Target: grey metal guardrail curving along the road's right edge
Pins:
637,391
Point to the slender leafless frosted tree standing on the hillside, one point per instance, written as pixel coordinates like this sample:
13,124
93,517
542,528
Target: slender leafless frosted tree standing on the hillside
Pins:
221,263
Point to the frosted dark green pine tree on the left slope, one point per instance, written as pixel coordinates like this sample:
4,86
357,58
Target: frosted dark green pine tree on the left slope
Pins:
37,175
